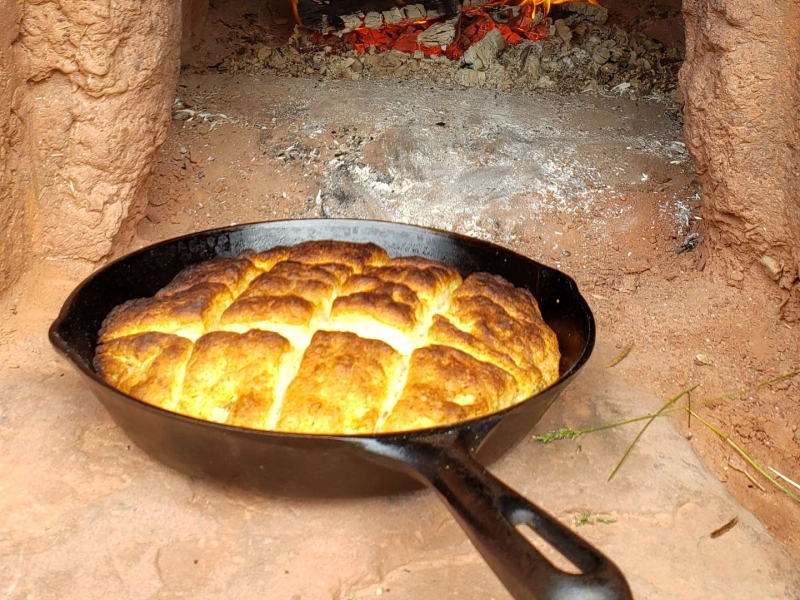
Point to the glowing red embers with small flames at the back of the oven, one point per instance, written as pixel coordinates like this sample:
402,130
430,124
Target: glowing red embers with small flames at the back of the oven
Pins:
516,20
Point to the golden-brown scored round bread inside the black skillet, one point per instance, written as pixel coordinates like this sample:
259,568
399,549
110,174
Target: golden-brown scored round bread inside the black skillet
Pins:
329,337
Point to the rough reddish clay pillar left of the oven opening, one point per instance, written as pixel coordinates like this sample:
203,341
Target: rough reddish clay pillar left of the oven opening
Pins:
99,81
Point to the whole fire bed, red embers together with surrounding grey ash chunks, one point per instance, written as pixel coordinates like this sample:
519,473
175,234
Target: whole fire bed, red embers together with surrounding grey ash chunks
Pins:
571,47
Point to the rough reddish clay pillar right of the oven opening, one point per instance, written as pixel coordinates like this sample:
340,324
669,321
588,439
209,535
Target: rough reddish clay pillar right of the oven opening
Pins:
742,89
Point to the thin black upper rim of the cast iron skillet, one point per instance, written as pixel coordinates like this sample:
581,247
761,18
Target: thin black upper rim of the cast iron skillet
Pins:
442,431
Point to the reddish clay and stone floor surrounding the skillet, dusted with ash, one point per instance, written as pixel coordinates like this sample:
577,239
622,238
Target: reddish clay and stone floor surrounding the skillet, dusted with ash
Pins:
600,187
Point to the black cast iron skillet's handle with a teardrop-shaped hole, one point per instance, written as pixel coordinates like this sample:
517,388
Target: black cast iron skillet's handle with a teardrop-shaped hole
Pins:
489,511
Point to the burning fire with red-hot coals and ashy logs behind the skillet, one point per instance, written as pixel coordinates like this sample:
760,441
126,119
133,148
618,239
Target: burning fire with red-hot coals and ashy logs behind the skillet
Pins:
430,29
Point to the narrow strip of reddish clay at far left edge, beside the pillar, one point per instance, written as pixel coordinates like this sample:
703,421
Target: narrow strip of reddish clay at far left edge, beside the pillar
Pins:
13,238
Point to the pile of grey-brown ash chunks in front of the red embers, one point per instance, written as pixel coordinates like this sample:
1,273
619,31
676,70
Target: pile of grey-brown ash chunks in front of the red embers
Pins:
581,53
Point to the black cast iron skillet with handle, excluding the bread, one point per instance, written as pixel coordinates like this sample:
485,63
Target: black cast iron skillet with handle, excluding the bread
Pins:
448,459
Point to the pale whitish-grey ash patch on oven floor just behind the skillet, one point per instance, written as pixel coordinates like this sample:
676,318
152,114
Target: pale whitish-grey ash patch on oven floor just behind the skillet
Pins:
532,172
